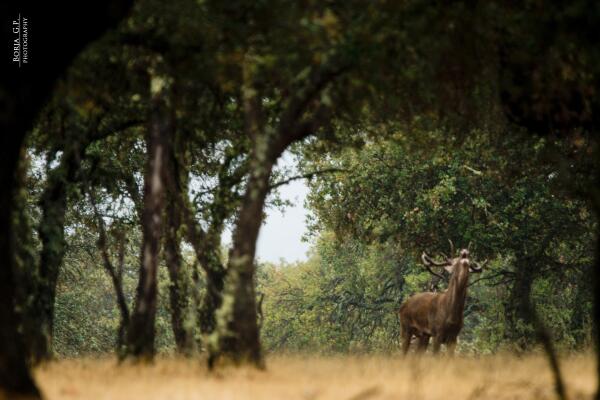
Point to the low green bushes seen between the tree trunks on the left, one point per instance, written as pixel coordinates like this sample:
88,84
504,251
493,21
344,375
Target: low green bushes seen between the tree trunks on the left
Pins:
86,314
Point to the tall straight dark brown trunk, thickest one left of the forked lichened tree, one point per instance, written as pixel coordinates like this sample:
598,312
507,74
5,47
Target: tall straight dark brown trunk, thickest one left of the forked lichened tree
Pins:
141,332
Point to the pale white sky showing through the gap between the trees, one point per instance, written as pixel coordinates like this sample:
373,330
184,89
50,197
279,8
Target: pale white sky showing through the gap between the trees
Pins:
281,233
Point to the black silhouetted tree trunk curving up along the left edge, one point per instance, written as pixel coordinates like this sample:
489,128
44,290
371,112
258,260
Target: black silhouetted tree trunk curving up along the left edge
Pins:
22,93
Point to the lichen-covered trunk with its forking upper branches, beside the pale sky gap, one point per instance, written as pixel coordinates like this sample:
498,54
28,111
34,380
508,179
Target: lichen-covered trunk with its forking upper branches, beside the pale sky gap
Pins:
237,335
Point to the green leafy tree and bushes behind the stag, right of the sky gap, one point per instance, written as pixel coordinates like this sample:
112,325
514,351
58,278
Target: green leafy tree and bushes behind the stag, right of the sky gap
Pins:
397,198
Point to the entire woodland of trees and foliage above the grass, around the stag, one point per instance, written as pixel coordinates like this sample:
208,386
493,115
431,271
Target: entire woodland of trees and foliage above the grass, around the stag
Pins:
415,123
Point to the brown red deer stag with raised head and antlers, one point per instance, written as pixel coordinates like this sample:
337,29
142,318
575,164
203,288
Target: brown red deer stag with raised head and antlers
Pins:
438,315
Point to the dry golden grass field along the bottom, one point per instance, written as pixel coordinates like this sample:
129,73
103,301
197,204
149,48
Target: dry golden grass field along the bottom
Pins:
306,378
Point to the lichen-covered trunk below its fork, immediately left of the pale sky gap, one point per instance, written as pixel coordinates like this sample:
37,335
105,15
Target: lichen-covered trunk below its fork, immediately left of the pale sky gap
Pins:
237,329
